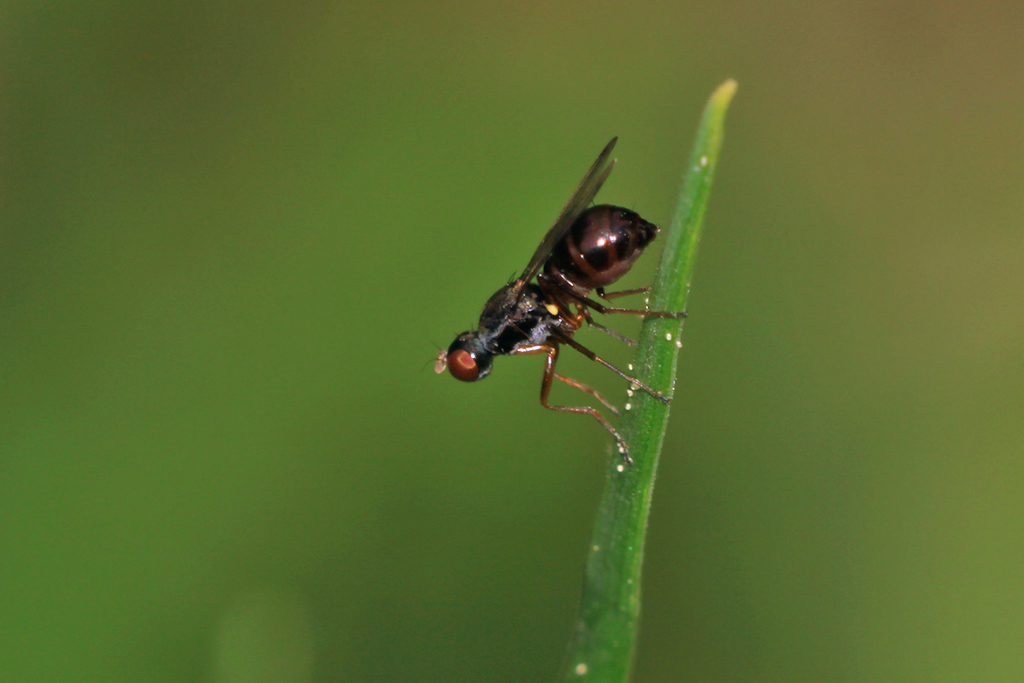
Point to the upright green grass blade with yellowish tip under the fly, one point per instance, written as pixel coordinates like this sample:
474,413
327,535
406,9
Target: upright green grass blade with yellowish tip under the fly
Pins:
605,635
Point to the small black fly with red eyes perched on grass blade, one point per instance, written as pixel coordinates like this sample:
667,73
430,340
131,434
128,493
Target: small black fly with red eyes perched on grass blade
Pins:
586,250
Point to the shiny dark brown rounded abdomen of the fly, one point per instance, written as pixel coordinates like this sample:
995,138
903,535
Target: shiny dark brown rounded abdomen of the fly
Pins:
601,248
